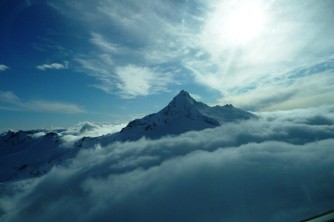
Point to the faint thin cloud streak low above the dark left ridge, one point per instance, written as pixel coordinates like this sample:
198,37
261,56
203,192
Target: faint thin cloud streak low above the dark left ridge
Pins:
9,101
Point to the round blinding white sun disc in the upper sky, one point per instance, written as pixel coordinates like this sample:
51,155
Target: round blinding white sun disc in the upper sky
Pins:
245,23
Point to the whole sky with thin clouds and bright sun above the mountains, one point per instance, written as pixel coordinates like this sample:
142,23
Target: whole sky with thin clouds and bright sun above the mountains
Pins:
63,62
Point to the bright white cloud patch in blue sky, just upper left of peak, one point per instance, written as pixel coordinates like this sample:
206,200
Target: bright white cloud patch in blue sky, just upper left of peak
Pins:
128,81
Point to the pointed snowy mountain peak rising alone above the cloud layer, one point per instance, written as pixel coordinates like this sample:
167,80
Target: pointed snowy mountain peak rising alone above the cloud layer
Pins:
182,114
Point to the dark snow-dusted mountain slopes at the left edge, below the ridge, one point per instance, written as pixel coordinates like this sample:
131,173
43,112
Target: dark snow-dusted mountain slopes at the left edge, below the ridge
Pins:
26,154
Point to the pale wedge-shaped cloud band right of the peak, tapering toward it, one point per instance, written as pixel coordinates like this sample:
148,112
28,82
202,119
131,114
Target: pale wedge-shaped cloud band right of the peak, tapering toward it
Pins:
286,93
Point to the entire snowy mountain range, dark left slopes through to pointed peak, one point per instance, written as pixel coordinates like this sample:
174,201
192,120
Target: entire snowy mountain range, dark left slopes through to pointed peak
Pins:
25,154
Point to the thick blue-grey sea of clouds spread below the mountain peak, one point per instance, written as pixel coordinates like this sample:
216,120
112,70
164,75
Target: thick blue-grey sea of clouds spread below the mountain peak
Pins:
279,167
